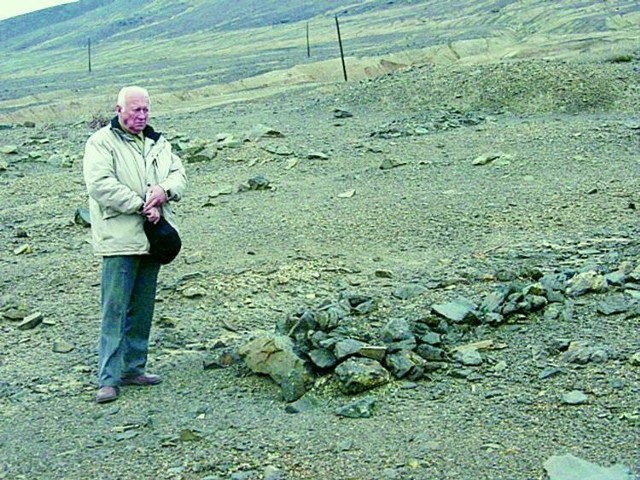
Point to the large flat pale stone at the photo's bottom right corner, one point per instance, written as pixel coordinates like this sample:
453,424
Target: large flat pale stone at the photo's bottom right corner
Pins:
568,467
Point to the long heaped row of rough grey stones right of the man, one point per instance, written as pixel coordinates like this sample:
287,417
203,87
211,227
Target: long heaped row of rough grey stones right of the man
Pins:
338,337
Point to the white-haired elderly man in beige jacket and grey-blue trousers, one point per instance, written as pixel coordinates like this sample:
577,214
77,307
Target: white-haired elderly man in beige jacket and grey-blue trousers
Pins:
132,176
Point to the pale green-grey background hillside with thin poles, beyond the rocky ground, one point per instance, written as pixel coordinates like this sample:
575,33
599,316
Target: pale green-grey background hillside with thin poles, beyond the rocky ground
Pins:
177,47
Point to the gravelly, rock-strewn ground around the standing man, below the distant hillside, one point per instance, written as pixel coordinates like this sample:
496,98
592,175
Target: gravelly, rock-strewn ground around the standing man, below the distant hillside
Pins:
418,194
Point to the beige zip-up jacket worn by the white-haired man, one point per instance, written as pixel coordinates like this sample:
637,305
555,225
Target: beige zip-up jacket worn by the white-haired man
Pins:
118,175
